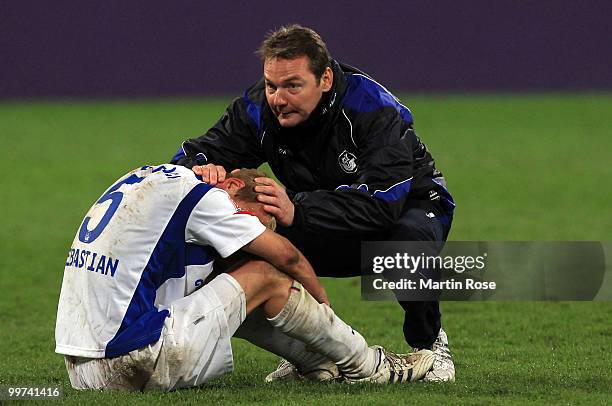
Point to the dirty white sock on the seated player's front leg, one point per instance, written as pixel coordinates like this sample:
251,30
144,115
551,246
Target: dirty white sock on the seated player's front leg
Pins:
316,325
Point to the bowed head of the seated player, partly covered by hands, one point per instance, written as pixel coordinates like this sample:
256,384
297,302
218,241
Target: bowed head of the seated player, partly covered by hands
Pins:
240,185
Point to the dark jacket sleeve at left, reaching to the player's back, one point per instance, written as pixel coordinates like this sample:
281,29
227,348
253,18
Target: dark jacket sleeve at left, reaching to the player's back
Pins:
233,142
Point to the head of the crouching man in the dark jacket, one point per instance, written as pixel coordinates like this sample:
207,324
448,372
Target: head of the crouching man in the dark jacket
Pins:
297,71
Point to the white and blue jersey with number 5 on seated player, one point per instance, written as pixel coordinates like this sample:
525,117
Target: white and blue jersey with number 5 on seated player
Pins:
148,241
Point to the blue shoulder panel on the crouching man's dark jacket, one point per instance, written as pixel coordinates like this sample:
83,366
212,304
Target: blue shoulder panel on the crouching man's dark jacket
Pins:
366,95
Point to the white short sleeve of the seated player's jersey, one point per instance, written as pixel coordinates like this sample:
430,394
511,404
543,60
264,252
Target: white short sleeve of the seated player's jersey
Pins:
217,222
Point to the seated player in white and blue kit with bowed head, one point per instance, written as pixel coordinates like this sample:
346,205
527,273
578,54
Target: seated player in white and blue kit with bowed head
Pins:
135,314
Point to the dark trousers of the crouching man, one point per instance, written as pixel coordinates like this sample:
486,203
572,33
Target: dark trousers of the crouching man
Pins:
341,257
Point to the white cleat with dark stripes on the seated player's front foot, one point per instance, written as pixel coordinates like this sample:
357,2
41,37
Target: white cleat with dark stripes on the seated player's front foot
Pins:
397,368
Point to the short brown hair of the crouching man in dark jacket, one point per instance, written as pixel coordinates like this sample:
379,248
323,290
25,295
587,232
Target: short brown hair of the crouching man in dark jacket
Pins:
292,41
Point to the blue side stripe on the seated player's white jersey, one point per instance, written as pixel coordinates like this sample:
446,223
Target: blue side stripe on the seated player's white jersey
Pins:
142,323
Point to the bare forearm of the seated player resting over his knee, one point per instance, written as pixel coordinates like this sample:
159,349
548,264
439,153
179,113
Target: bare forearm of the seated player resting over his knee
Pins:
281,253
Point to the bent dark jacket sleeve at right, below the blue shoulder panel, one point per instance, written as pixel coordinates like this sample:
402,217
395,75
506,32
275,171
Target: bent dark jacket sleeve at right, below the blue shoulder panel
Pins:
385,174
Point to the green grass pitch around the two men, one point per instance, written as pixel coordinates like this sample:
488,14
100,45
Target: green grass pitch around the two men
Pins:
521,167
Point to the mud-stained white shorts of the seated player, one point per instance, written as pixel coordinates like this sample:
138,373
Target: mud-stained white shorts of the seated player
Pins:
194,346
